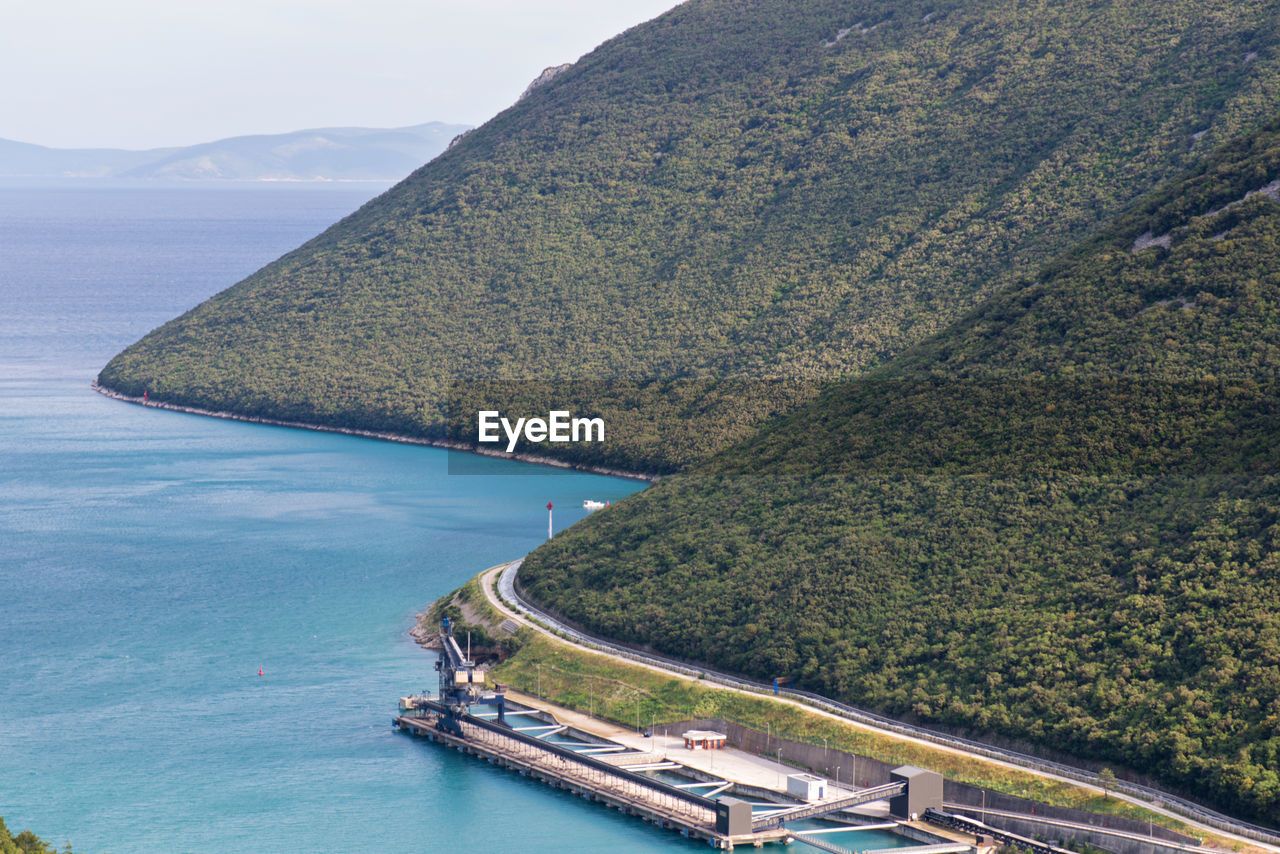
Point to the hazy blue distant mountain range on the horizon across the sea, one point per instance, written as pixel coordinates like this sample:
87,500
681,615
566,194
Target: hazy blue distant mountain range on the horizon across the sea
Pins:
321,154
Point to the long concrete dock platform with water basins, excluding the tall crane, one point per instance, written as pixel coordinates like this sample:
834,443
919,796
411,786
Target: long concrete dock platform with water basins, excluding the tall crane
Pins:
614,766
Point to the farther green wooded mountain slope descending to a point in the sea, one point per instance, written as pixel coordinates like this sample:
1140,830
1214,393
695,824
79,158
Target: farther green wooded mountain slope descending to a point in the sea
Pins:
737,191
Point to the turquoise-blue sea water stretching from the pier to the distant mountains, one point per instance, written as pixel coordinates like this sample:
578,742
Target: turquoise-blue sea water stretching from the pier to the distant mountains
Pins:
152,563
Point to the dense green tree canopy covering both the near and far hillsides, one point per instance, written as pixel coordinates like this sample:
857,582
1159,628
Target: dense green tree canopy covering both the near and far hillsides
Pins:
1037,501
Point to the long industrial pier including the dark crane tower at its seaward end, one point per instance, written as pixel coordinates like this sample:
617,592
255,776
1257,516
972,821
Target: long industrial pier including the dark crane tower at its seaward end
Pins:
618,771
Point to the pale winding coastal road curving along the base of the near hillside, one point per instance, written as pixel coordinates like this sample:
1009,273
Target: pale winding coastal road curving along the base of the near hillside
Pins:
500,587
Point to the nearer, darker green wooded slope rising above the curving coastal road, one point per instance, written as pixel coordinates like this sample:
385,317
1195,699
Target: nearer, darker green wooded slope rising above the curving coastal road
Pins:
1058,522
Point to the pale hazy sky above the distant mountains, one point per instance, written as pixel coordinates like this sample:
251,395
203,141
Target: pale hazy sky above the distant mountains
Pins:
149,74
